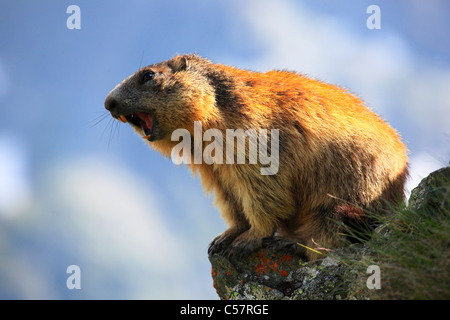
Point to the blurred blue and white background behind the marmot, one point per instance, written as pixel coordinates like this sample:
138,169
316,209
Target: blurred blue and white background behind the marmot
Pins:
76,192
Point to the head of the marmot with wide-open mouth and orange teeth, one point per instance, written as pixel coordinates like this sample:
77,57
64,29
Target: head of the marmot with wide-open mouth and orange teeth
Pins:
165,96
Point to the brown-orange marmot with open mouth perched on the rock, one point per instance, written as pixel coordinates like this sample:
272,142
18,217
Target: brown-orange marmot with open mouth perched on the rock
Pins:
338,160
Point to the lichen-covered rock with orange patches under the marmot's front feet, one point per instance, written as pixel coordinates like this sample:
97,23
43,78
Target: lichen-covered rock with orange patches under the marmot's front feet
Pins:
272,275
